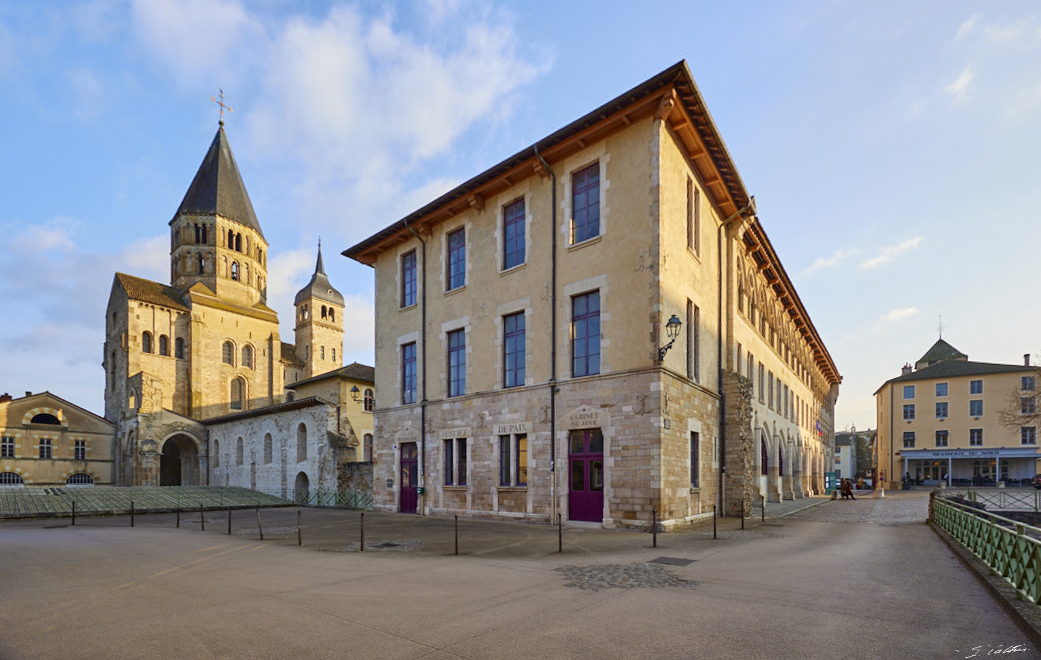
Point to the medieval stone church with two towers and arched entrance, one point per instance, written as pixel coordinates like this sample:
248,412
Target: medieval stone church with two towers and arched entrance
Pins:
188,364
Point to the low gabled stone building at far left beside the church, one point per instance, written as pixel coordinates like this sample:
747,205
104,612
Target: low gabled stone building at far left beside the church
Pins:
47,441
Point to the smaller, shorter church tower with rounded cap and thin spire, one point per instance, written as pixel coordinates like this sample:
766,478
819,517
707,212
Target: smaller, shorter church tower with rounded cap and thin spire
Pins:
320,324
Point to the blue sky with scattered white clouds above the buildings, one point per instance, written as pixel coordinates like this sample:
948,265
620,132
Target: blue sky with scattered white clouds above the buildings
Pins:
892,148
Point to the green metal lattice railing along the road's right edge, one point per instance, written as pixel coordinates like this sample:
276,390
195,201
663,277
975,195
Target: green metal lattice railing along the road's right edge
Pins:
1011,549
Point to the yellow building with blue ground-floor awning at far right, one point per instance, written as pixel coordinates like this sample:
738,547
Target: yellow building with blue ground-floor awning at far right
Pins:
950,421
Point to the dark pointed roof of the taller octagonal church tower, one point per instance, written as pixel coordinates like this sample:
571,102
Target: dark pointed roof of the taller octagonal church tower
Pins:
218,189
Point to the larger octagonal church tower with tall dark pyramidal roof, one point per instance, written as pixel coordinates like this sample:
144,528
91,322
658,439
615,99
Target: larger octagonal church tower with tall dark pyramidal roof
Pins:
215,237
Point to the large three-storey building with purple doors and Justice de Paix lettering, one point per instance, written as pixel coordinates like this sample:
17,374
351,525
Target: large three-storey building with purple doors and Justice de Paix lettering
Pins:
525,364
